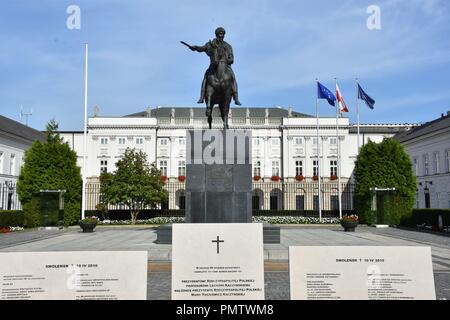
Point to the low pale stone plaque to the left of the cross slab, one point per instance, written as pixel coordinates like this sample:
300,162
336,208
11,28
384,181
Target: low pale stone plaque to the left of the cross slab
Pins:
77,275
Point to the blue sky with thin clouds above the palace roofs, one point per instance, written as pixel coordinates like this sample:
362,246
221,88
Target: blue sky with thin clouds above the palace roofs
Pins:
280,47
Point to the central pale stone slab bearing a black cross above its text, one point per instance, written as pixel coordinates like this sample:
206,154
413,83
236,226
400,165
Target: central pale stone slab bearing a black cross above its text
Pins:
218,261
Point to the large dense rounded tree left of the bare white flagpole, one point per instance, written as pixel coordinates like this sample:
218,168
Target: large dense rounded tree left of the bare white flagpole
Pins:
50,165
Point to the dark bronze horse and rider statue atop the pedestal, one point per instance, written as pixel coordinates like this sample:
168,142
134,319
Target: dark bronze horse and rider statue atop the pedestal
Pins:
219,83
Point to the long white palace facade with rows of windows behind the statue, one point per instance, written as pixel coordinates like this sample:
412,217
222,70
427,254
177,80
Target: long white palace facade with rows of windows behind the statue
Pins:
284,154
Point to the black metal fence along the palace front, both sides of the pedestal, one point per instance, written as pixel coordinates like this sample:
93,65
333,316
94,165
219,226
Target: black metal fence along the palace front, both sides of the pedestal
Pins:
269,199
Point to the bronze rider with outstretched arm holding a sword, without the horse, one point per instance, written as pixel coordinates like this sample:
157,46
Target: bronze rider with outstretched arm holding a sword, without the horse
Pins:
218,50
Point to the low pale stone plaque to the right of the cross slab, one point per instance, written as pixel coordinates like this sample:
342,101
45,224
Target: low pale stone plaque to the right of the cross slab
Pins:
361,273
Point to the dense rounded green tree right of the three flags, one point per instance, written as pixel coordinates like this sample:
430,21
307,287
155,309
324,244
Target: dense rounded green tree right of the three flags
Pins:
385,165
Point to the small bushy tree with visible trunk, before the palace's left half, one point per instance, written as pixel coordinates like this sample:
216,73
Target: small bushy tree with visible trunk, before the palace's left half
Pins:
135,183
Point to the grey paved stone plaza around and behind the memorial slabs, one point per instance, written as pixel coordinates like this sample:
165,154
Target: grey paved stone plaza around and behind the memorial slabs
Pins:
276,255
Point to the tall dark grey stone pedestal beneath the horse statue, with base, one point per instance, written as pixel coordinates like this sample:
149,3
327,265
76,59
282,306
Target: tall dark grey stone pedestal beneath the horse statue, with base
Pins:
219,180
